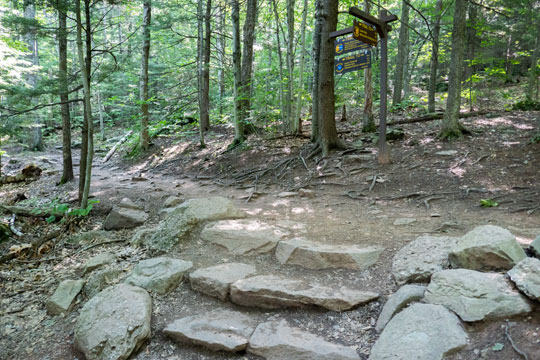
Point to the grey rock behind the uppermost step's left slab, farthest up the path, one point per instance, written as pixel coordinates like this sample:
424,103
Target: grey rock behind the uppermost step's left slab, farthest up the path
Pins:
210,209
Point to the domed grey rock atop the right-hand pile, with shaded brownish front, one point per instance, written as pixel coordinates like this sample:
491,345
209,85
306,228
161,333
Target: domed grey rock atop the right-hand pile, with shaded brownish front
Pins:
487,247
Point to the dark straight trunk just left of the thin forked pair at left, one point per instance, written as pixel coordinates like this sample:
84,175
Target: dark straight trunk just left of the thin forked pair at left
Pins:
67,163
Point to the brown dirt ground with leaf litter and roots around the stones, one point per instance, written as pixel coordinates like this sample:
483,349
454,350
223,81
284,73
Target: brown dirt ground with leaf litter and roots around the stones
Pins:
442,192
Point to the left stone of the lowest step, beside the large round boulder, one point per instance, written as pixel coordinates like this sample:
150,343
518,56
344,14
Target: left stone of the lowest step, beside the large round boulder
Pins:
217,330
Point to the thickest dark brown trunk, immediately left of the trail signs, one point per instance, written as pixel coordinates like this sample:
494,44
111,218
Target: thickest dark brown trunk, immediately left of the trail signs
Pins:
328,138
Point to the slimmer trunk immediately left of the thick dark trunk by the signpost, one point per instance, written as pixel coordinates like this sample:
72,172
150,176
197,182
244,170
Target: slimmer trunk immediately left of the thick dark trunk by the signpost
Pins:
315,123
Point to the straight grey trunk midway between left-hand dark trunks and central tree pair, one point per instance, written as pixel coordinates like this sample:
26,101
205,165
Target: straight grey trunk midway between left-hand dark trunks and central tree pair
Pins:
143,89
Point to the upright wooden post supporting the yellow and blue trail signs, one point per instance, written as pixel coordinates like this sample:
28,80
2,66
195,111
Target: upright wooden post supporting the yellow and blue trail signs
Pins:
384,150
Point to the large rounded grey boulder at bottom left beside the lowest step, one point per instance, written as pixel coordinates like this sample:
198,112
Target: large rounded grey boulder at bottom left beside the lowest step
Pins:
114,323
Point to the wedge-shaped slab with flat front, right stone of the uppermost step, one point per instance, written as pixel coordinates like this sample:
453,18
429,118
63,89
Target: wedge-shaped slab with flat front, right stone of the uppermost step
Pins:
314,255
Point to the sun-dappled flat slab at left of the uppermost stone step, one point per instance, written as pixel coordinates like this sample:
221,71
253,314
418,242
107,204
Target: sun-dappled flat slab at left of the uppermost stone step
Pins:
243,237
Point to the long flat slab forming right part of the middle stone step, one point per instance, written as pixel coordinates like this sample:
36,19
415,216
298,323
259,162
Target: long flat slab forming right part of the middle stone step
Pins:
271,292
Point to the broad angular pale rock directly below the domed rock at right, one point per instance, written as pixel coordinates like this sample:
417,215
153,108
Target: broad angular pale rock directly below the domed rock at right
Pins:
475,296
